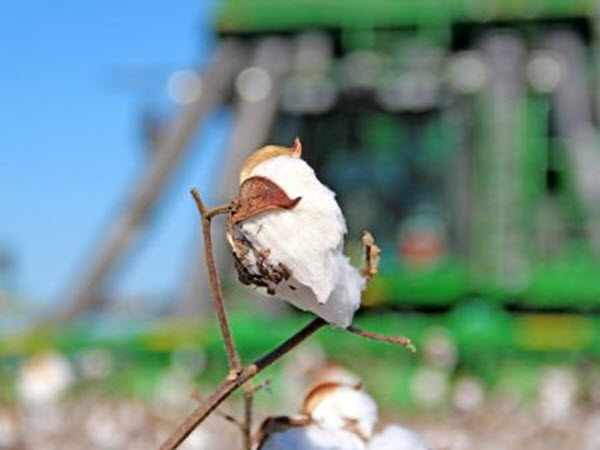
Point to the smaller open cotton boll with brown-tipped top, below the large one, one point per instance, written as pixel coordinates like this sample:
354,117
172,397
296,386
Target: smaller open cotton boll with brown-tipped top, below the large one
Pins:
336,405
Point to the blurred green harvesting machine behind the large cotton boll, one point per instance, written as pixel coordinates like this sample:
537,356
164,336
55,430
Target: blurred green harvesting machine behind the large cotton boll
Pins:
462,133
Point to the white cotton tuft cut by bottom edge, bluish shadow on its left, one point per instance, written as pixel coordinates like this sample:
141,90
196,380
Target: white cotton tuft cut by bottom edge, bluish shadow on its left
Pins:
312,437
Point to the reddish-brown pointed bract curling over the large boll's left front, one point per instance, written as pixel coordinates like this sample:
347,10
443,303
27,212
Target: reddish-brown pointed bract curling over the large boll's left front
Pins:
257,195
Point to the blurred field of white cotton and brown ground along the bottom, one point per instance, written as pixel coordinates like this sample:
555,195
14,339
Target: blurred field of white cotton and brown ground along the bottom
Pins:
562,409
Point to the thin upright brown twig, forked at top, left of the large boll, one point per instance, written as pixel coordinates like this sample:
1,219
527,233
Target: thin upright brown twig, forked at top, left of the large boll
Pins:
235,366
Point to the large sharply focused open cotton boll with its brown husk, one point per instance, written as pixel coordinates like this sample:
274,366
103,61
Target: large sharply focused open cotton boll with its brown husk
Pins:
293,246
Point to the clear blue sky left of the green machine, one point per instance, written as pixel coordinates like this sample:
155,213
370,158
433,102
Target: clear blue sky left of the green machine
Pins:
69,134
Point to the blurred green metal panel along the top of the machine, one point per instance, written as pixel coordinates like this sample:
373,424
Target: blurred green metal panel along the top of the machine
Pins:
271,15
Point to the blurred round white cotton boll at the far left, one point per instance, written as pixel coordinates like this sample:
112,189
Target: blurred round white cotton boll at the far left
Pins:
44,378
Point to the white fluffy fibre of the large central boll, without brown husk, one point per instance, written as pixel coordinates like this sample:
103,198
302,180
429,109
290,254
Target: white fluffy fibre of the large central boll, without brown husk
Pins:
308,239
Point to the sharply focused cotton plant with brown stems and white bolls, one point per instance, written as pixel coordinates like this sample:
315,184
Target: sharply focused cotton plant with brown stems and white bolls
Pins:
286,232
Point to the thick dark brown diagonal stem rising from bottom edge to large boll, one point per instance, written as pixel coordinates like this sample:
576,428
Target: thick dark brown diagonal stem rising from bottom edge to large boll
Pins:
228,386
